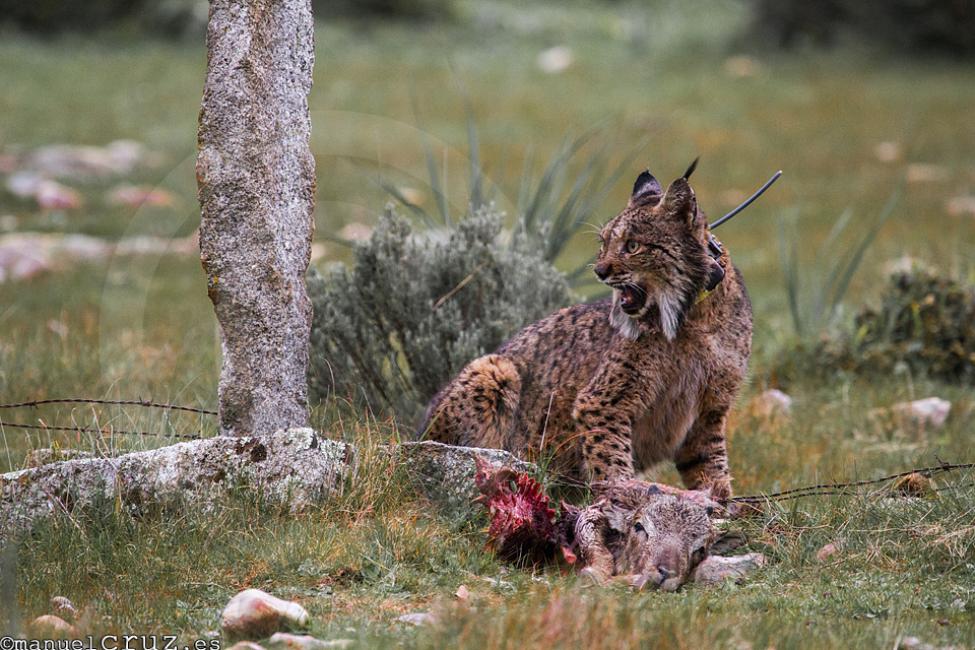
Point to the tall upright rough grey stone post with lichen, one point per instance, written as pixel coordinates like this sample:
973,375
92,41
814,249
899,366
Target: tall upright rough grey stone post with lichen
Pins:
256,179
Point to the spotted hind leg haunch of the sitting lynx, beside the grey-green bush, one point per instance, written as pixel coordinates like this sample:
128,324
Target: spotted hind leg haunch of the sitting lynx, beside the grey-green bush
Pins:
477,409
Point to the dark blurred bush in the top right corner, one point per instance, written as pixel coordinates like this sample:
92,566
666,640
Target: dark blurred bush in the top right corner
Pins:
945,26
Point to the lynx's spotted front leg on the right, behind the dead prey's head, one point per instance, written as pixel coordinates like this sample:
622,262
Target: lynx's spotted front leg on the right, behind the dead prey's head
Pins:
703,458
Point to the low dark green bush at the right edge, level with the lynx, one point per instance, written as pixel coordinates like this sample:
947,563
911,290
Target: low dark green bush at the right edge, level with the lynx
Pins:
924,323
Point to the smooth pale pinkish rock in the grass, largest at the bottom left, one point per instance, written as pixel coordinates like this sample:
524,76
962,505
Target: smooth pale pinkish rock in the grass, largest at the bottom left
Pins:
254,614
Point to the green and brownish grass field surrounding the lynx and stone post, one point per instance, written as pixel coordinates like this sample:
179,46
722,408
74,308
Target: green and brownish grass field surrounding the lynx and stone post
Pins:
644,72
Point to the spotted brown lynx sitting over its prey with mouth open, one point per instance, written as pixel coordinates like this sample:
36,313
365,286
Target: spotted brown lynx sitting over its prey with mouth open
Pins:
613,387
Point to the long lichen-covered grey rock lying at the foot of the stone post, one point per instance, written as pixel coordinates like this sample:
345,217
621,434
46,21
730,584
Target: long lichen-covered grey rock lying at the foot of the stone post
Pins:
295,467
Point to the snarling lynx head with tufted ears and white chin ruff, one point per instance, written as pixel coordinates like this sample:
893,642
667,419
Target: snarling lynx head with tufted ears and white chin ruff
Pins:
654,254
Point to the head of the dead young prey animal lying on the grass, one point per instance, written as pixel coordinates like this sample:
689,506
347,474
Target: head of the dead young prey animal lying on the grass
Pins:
667,538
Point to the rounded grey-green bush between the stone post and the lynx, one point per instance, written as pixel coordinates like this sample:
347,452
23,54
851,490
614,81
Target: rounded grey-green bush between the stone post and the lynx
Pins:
415,307
